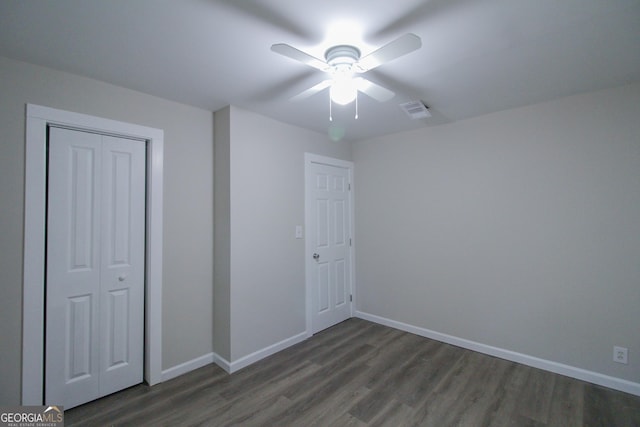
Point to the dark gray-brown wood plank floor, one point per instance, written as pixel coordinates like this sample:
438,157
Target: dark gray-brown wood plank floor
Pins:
359,373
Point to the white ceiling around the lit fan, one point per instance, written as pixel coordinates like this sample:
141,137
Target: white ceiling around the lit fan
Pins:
478,56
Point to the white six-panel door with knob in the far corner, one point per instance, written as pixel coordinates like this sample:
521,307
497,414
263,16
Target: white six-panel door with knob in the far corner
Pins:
329,234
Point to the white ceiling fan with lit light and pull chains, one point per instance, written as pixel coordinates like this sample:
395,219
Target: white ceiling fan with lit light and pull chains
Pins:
342,62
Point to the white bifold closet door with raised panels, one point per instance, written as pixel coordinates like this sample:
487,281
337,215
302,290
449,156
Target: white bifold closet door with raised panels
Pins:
95,266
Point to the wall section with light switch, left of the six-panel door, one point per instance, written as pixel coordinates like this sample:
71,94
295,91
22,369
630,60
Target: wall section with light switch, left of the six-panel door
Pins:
266,202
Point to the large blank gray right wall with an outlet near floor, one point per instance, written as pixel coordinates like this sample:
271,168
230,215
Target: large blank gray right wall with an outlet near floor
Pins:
519,229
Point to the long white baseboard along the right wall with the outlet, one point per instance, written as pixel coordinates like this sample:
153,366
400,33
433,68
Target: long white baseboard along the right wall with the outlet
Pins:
547,365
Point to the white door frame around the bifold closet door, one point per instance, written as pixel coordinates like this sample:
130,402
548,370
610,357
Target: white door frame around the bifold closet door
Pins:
38,118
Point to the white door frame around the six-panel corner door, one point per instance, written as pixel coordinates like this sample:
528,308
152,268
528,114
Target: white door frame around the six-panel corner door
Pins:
309,159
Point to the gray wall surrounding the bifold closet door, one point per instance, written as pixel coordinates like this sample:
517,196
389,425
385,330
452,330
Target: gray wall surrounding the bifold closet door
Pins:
188,205
